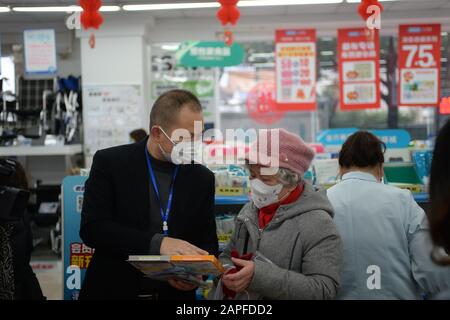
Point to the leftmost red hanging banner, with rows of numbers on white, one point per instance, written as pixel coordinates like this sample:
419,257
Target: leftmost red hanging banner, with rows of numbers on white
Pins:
295,56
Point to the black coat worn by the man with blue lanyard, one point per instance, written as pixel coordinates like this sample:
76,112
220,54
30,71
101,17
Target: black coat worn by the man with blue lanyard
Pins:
115,220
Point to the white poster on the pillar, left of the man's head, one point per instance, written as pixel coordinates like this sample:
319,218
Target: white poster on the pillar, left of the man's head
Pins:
110,113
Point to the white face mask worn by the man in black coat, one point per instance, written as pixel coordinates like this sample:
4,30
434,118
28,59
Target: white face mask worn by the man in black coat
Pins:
183,152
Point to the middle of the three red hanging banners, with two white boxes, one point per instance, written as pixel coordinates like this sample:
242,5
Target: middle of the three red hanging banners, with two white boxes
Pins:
359,69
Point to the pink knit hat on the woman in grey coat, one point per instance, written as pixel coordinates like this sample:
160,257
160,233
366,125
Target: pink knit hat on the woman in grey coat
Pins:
279,148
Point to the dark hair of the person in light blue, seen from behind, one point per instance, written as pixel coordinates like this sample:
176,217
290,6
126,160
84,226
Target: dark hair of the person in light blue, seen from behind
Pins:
362,150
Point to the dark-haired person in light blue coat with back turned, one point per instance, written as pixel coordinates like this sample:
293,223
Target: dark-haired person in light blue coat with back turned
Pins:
385,233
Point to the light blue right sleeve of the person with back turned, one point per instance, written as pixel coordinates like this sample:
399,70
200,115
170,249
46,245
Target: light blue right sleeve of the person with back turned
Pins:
430,277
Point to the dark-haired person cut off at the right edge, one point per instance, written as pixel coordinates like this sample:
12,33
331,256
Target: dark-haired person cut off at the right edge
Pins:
439,216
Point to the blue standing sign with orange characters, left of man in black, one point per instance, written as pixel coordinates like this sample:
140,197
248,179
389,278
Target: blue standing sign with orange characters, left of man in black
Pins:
76,255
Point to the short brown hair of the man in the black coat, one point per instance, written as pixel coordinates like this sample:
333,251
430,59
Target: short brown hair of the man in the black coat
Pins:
167,107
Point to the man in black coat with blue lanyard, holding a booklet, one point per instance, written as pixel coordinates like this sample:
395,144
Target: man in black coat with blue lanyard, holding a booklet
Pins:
137,201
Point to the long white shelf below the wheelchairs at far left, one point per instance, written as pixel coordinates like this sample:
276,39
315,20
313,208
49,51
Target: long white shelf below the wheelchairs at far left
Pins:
27,151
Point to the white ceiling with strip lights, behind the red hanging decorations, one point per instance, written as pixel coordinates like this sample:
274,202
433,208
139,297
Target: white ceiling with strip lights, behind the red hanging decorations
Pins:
330,15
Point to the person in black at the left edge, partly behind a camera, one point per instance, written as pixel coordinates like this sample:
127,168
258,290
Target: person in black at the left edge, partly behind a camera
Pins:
18,281
